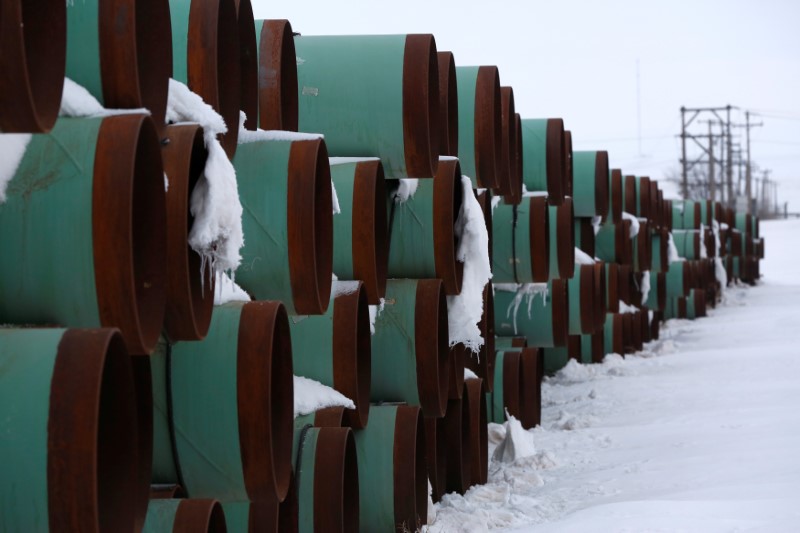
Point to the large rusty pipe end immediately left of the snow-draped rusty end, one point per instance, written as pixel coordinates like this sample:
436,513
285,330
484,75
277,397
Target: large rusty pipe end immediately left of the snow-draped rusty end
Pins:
128,230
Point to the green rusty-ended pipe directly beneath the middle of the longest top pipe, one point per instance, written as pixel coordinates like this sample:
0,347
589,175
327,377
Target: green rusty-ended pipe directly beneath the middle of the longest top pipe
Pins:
360,240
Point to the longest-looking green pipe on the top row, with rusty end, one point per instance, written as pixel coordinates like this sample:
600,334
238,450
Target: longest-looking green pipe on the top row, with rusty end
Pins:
374,95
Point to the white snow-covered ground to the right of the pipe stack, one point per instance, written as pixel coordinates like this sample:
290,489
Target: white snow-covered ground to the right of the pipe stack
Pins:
700,432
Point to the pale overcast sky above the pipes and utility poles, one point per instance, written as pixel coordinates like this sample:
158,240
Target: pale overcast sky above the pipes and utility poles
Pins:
578,60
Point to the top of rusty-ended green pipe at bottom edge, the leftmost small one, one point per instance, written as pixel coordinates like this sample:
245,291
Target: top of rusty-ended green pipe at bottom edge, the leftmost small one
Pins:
196,515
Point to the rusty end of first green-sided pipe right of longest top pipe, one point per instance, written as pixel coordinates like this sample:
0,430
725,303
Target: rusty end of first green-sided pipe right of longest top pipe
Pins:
488,128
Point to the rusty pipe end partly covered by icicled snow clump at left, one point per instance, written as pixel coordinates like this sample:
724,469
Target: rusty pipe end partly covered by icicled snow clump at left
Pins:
190,293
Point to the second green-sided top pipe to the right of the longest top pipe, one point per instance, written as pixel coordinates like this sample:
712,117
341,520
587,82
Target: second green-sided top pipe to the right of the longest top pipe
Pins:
543,153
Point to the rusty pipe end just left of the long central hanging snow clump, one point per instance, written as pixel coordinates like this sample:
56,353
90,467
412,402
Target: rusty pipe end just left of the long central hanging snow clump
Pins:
447,199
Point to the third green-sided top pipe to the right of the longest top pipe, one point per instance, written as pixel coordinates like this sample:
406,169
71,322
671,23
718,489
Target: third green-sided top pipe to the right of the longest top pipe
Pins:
590,183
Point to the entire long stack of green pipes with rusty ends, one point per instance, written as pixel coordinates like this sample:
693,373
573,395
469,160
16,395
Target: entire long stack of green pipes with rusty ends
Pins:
130,401
